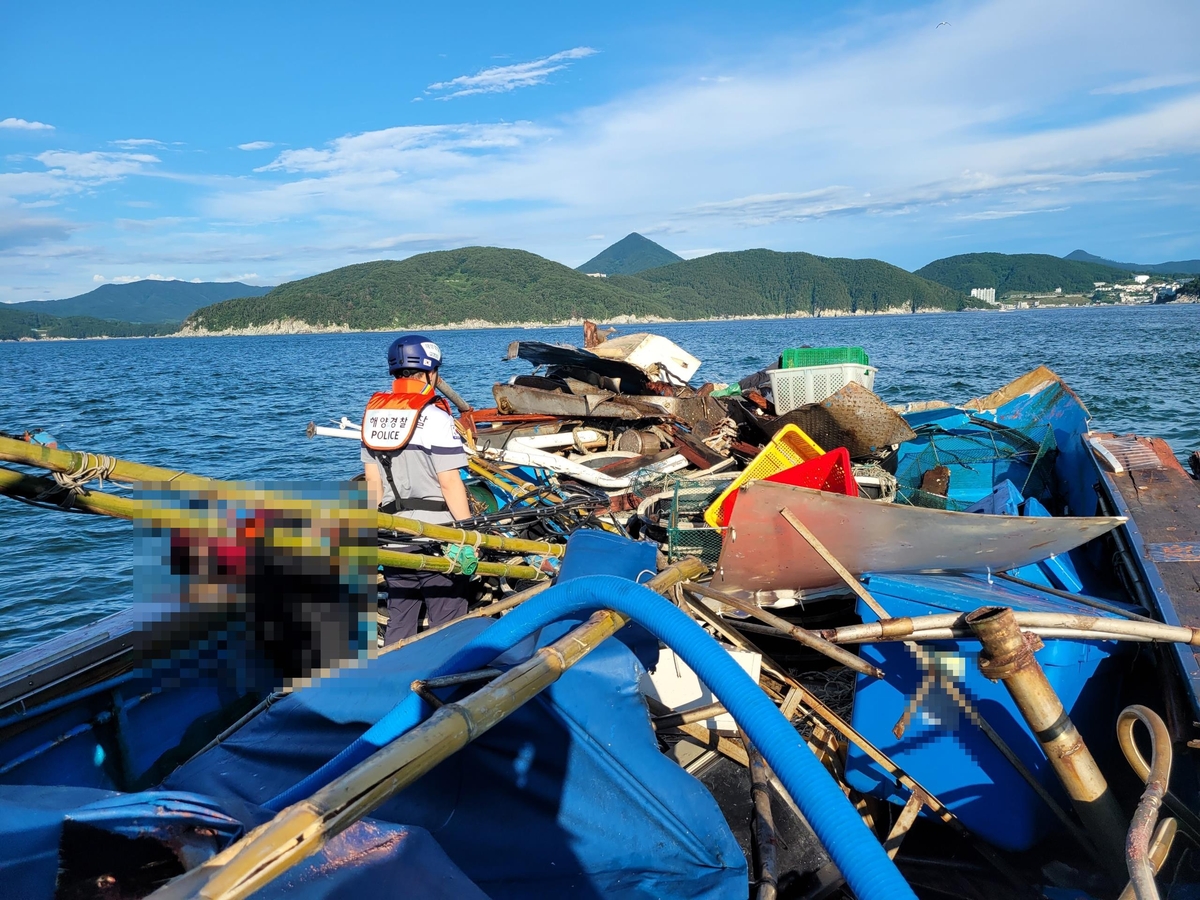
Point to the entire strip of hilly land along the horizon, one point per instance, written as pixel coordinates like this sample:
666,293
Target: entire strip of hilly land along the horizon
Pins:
634,280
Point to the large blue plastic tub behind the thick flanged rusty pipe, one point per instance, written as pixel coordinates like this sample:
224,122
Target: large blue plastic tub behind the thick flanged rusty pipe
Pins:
943,749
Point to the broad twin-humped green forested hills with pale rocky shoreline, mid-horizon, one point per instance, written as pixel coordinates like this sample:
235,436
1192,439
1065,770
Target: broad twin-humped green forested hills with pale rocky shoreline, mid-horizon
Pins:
489,285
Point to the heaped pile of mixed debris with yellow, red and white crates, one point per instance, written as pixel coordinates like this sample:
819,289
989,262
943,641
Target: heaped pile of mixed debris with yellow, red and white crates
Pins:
622,416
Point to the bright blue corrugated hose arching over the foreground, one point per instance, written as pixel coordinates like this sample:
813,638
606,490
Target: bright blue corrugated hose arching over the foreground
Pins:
871,874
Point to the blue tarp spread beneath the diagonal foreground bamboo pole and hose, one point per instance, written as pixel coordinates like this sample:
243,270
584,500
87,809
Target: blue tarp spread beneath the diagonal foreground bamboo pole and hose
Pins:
571,795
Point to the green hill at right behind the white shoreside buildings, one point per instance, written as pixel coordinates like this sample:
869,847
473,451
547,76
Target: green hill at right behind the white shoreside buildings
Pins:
1035,273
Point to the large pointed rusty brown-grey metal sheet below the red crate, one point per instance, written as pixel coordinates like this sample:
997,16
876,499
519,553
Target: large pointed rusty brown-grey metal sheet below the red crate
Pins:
764,553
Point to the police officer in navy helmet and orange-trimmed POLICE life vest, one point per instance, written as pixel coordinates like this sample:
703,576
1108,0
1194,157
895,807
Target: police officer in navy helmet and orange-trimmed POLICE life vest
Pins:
412,457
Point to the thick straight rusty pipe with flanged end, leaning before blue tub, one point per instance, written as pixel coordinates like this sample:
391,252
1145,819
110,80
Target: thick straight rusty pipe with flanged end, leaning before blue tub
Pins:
1007,656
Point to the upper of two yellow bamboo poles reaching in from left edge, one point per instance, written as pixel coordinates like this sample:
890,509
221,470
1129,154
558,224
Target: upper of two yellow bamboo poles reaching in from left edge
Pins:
69,463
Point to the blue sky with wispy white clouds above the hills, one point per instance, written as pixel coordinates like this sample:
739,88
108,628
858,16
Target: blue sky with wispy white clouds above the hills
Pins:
269,142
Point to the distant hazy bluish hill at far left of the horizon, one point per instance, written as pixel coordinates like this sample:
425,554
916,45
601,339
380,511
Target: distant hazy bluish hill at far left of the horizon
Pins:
149,301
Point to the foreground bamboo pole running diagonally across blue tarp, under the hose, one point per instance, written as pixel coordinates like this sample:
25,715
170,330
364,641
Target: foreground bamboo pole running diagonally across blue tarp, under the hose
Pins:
302,830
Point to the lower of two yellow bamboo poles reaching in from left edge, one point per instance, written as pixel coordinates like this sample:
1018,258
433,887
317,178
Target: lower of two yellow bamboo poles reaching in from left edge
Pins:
32,488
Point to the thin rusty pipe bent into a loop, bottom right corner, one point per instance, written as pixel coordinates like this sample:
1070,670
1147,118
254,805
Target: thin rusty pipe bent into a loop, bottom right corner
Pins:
1157,776
